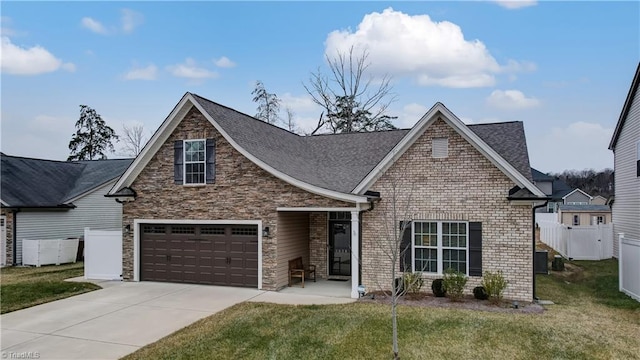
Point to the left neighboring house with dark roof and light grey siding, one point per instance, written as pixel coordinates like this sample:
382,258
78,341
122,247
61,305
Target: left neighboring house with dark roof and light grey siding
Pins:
45,199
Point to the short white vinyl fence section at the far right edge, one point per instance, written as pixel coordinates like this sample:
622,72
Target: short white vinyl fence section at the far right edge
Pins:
629,266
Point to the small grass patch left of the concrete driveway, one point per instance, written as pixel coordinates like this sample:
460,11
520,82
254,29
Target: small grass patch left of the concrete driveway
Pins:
24,287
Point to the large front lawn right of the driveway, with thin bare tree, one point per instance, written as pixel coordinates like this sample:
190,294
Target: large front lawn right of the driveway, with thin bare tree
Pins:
592,320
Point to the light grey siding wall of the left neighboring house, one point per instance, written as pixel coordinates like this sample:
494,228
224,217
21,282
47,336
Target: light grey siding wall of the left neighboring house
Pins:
92,210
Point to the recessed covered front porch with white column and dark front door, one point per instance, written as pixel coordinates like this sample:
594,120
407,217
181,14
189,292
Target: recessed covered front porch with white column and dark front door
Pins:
322,237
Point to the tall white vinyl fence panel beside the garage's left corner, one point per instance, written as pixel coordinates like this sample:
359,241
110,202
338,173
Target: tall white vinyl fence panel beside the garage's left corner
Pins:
102,254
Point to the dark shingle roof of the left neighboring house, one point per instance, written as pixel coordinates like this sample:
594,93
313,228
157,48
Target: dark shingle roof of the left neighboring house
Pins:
28,182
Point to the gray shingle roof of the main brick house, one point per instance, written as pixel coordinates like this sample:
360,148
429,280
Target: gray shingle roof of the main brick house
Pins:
340,162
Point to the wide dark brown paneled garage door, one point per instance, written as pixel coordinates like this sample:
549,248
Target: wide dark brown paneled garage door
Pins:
201,254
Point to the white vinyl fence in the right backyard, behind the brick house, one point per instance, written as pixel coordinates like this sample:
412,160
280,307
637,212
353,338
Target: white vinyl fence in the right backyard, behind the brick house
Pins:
578,242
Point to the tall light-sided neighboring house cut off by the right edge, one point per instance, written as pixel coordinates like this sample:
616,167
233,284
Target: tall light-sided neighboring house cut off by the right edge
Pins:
625,144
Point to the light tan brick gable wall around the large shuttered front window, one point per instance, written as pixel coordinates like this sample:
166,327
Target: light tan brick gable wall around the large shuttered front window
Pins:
463,186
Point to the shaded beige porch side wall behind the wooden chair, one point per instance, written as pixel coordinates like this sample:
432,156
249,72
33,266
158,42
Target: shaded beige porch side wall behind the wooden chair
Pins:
293,242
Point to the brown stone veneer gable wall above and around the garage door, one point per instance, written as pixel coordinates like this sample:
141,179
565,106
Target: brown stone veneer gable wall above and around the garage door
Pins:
242,191
